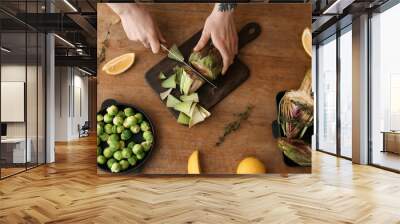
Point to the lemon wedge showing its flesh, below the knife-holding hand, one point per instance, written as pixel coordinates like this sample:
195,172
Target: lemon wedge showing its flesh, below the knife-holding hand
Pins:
119,64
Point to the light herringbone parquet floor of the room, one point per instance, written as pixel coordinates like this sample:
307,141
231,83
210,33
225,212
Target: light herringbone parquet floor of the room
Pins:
70,191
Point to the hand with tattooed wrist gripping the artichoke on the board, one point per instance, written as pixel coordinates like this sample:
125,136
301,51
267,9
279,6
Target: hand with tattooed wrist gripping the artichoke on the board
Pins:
220,27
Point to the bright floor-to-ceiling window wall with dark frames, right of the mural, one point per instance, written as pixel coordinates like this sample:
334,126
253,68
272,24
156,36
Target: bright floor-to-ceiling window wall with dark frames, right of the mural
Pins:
335,68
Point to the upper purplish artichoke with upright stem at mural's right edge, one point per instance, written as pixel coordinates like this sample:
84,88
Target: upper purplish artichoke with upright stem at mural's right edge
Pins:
296,110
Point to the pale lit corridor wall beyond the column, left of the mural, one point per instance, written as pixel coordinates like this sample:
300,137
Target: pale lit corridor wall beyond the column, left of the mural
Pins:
67,114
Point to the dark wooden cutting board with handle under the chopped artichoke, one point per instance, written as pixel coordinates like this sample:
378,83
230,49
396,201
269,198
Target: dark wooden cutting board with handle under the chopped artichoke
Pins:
209,96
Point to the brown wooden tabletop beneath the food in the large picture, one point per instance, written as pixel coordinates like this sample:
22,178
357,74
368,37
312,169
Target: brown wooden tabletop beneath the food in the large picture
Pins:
276,60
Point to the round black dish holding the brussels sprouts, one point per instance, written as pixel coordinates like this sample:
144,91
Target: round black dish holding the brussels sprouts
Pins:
136,137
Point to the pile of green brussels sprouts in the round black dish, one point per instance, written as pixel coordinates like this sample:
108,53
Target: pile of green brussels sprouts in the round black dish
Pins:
123,138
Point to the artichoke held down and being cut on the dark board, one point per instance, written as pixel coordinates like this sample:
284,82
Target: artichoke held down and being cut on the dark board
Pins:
208,61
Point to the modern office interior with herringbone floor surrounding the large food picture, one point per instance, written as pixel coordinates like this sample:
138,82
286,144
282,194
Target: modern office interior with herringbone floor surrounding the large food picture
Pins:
48,78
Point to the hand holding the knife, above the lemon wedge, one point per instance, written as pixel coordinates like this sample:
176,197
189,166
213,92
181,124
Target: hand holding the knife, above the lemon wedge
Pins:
139,25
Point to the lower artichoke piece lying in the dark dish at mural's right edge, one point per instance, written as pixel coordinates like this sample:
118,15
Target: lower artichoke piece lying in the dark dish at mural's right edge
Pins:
296,150
